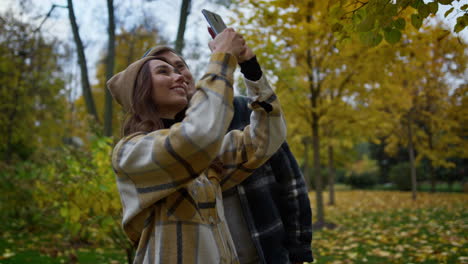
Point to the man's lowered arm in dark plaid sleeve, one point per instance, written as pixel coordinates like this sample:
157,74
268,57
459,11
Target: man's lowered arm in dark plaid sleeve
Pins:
294,205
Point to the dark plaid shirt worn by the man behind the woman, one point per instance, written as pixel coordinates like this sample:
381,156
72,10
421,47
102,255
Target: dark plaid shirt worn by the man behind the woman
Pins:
275,203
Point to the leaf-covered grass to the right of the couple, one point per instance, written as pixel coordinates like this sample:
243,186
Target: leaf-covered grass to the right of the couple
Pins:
388,227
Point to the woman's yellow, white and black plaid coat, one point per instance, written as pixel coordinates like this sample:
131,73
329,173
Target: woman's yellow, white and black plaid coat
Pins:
169,186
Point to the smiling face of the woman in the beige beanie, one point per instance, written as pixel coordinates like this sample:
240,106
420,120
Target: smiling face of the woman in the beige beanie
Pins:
170,88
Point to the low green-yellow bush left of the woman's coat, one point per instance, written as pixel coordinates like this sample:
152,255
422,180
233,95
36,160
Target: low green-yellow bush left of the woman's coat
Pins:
74,187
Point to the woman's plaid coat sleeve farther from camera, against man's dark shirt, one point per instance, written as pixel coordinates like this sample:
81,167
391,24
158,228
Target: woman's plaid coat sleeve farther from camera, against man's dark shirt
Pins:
242,151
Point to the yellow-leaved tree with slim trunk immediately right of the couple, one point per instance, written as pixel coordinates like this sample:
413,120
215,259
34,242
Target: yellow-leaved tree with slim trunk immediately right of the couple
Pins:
314,75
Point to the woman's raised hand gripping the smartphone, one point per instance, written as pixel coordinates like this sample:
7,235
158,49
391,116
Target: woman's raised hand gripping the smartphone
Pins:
228,41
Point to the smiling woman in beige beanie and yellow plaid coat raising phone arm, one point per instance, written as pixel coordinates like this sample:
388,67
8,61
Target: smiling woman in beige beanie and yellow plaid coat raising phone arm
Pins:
171,167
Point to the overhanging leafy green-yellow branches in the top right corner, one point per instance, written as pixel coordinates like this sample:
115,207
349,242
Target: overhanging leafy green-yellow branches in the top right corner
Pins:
375,20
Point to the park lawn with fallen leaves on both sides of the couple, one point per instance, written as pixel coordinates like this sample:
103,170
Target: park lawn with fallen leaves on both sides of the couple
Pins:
372,227
